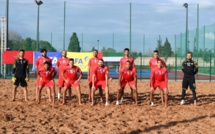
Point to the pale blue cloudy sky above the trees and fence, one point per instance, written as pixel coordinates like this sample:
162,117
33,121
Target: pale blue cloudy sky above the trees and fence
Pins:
108,22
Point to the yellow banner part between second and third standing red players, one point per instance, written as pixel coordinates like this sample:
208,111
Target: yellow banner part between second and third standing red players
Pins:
81,59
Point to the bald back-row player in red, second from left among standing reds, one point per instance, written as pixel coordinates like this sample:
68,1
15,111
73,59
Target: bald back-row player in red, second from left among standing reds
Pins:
60,65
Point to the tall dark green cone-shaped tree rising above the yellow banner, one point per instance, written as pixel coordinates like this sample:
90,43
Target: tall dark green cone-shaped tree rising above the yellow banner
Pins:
74,44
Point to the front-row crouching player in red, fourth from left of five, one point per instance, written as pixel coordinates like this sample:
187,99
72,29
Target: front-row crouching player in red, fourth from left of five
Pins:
128,75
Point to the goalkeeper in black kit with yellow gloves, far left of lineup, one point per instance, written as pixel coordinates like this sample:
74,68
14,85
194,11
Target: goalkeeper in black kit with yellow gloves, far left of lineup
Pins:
20,74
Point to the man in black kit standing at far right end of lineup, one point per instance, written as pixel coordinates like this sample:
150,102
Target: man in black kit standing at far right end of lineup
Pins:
189,68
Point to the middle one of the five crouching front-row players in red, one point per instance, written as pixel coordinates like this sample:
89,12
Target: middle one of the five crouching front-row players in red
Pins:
100,80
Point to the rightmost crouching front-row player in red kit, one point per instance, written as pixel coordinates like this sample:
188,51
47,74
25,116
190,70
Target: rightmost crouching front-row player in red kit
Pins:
159,78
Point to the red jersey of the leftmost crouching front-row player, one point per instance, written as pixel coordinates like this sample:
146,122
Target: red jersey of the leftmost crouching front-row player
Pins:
47,75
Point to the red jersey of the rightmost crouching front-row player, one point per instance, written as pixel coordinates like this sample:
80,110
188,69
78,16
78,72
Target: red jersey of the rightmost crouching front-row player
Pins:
159,75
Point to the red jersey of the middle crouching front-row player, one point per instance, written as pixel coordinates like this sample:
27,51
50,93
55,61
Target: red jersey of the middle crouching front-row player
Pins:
100,73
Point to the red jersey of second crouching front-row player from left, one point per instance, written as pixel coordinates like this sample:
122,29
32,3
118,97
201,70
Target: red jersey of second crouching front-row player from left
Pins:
71,73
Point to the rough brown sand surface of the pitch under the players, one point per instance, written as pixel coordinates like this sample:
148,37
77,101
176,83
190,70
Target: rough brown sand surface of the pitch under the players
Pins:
27,117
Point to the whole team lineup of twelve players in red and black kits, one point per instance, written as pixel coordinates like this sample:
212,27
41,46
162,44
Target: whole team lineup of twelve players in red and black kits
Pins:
70,75
